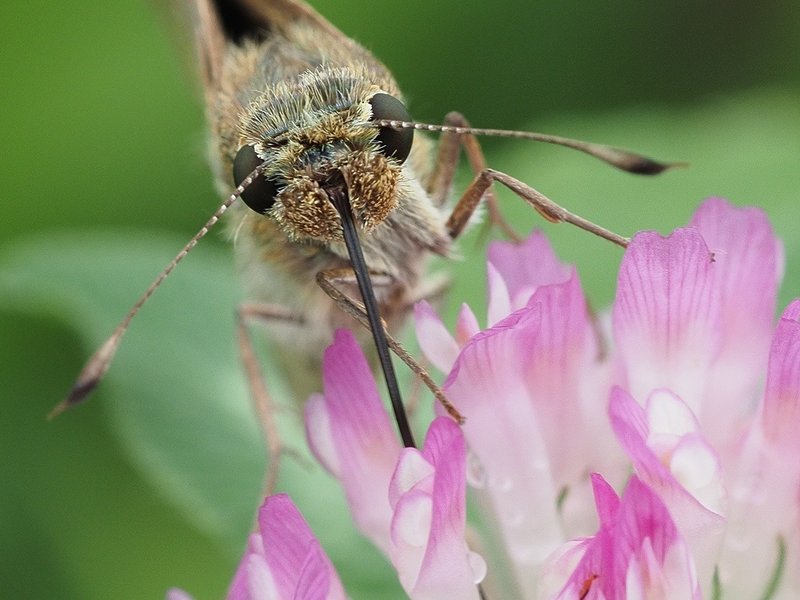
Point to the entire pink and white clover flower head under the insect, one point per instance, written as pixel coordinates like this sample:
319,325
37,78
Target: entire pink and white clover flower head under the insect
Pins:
685,397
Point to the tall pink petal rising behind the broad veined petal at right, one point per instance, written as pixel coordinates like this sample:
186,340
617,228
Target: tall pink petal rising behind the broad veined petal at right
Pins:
748,267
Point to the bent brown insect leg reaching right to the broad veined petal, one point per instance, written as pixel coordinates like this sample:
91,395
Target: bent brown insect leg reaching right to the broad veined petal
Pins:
542,204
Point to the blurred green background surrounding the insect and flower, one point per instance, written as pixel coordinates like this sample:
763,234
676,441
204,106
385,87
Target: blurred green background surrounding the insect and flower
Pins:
153,482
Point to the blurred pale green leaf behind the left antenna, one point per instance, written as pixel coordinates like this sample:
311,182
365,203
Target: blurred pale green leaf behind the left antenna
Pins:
176,392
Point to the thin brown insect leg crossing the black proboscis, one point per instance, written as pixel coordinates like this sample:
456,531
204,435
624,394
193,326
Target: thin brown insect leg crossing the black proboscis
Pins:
330,281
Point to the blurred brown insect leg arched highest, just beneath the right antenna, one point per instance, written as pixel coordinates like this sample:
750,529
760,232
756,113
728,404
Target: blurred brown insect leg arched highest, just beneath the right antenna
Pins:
441,180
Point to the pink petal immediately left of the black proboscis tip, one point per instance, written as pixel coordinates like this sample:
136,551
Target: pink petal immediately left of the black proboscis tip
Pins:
350,431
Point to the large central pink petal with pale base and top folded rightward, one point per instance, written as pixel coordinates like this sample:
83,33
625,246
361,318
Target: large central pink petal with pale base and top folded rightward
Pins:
488,384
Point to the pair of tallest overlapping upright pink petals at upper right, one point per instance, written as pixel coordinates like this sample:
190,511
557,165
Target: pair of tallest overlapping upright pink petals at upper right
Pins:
694,314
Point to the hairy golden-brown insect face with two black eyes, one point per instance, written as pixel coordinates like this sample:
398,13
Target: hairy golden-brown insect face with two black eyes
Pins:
316,138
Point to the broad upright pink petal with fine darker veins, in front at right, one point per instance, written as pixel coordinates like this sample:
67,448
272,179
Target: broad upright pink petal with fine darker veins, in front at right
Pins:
667,321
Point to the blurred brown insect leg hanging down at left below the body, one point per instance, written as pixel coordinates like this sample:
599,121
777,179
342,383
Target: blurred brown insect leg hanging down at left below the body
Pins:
265,406
